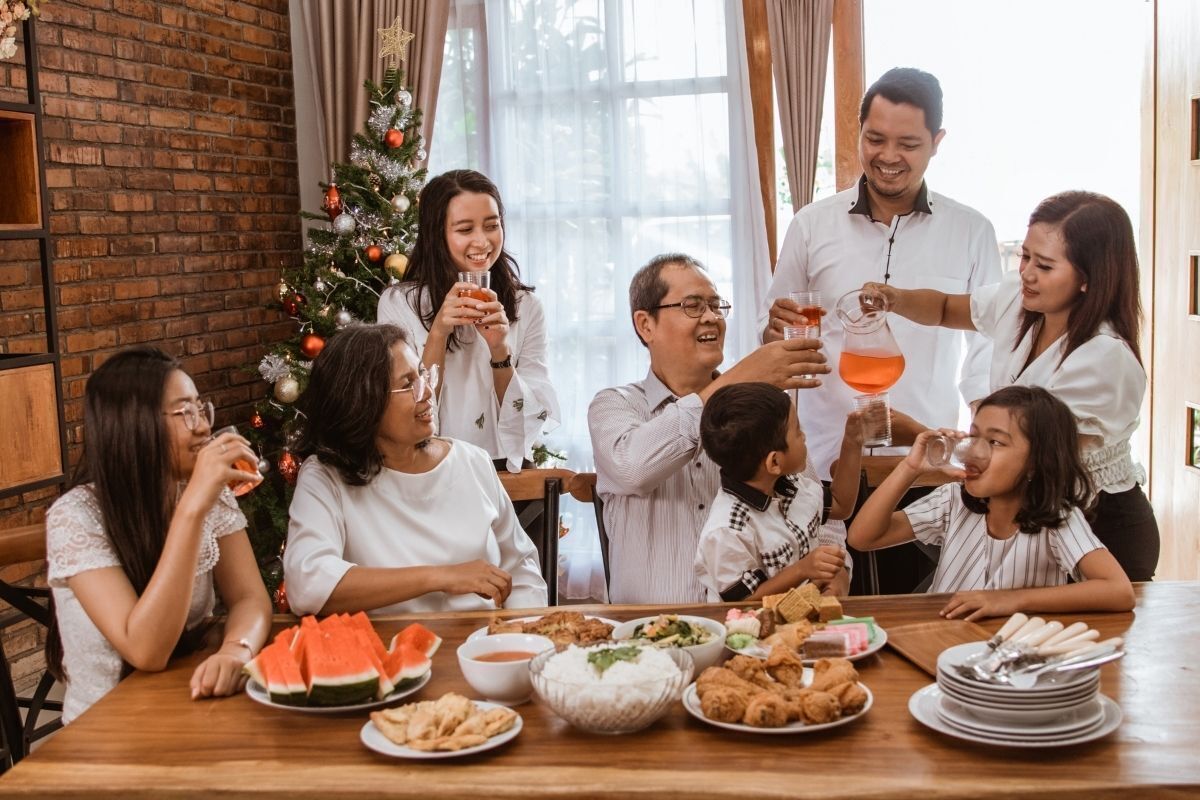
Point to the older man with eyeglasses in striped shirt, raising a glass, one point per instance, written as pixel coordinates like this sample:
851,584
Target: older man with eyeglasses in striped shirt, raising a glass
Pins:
652,474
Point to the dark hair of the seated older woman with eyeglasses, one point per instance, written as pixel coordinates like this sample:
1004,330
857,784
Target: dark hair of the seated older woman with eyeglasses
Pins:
347,396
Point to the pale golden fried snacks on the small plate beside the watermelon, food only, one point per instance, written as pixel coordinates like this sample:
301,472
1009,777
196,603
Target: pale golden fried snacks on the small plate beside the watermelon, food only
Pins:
451,723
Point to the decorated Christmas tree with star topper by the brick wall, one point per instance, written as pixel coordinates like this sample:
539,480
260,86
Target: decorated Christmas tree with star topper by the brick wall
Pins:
371,207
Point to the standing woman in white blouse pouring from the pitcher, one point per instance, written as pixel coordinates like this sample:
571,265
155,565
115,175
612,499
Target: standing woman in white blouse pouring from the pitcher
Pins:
1070,322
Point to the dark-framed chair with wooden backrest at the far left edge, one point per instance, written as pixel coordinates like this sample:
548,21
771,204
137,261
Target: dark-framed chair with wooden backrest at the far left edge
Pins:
19,546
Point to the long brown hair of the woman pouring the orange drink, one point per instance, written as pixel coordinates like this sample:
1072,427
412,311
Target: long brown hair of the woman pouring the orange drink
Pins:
1100,245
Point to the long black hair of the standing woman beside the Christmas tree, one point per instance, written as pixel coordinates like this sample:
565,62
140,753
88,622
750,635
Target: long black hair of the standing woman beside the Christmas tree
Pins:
430,266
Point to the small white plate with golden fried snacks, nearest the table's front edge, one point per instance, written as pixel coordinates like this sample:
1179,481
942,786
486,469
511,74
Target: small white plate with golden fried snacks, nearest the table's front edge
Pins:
448,727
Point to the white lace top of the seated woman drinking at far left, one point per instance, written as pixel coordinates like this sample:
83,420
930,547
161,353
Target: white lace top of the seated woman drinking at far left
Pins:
76,543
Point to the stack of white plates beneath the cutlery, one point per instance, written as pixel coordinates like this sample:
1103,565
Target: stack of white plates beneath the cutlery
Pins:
1060,709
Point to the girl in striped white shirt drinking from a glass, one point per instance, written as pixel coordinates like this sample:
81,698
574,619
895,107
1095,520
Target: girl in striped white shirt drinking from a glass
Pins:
1013,534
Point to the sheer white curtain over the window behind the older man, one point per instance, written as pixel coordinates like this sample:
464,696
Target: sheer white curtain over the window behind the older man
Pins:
616,130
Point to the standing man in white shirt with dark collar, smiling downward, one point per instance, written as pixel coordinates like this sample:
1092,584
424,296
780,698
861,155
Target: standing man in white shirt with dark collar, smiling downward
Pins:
892,230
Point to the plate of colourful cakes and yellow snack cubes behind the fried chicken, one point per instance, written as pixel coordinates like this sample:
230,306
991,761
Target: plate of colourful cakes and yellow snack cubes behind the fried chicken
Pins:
811,624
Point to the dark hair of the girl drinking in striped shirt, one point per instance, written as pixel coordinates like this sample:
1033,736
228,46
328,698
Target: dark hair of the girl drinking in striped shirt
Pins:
1057,480
